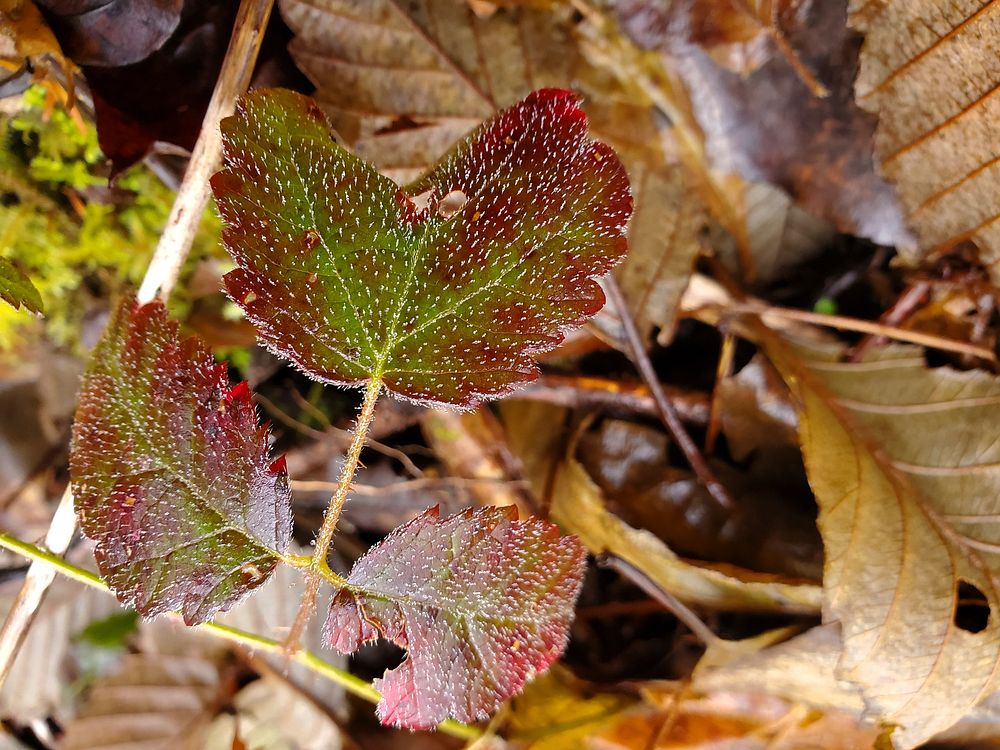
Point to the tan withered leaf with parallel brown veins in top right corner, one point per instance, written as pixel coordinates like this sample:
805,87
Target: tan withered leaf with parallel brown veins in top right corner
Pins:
931,70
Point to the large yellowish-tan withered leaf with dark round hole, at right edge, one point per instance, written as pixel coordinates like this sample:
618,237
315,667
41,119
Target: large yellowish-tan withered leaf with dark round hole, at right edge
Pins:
905,465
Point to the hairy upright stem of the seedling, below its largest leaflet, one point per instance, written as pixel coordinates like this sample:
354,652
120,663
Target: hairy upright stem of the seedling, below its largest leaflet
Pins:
318,567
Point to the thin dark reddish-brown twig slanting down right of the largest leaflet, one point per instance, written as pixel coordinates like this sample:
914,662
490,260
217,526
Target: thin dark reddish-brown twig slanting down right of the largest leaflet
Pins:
667,412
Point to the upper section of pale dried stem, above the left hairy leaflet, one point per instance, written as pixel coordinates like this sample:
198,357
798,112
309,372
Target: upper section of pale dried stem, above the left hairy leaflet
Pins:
192,197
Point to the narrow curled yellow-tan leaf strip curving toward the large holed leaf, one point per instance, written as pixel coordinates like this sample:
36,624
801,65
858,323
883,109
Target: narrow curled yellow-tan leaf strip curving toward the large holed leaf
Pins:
535,432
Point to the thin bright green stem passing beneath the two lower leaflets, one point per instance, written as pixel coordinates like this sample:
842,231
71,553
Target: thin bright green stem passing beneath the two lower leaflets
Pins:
348,681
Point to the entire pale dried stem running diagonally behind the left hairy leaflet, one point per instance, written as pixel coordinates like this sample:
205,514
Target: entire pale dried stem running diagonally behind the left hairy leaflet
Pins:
161,275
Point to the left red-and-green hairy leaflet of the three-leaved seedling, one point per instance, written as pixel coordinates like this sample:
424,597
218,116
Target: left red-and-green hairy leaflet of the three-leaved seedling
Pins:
171,473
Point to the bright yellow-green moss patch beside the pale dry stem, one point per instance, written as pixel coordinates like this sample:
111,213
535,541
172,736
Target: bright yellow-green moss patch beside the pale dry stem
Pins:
79,243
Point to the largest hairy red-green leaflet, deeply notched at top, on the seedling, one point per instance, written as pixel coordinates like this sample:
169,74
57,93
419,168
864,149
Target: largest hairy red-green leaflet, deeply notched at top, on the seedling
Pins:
352,278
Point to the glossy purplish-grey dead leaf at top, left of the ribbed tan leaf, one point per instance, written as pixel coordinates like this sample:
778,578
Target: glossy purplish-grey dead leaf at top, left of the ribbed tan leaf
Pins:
770,126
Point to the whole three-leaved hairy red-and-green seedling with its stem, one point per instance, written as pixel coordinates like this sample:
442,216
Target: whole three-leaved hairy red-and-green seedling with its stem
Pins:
439,292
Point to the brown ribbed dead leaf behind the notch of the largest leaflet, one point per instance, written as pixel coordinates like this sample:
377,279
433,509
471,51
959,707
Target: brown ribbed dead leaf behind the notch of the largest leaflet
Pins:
402,83
